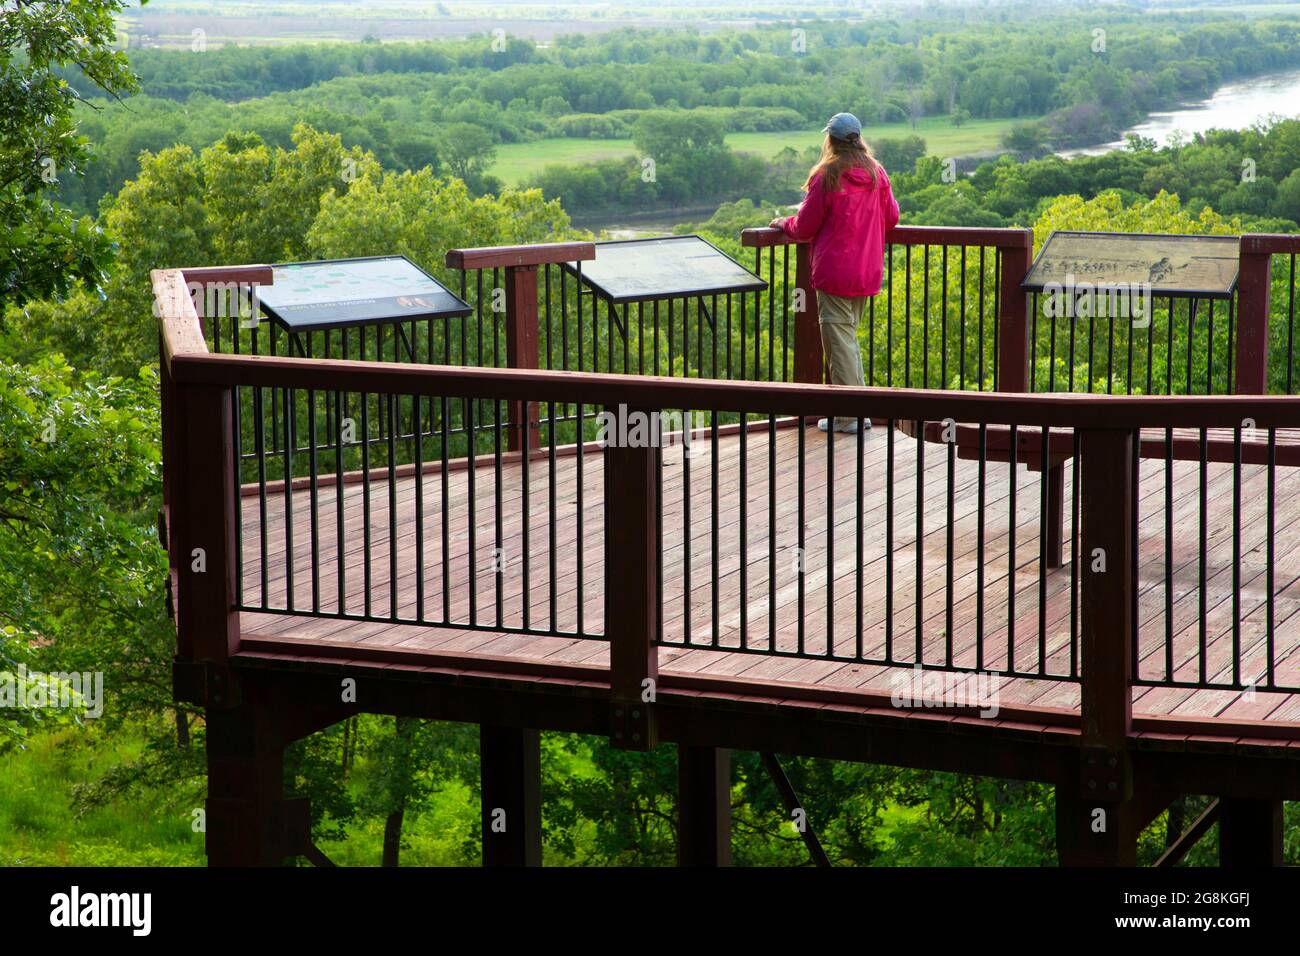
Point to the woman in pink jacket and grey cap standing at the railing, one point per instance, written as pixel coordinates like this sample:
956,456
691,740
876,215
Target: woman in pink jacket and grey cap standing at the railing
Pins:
848,209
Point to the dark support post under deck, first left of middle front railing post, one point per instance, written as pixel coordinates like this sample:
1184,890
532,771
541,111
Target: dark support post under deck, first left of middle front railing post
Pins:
510,767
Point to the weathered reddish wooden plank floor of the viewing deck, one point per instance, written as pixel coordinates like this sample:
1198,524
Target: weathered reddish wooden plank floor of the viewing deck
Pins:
707,617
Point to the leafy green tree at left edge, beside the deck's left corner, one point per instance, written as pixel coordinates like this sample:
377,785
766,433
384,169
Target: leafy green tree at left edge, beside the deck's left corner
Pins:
81,563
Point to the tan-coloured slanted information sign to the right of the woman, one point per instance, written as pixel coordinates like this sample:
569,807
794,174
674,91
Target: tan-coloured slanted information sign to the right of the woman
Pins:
1180,266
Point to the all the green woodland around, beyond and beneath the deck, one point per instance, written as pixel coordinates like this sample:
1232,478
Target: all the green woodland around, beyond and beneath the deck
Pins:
171,158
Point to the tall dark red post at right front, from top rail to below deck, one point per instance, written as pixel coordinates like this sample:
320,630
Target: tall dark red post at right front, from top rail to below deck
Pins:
1098,820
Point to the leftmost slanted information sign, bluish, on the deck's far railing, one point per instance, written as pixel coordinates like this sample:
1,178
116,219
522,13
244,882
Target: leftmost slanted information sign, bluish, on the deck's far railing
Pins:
356,292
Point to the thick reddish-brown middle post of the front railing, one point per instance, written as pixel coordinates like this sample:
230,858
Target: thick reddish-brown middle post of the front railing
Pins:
632,599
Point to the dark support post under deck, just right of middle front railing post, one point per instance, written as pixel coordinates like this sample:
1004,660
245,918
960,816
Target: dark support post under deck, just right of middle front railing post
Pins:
704,807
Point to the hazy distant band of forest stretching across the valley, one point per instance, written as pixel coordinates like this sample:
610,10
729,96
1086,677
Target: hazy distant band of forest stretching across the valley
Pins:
450,106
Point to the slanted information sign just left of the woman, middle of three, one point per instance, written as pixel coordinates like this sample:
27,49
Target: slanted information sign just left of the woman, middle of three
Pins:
669,269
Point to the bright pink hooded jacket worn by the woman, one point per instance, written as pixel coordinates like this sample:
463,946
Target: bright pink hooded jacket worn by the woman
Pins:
847,230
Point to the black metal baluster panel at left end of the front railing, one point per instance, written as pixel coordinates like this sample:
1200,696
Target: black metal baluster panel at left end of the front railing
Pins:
434,527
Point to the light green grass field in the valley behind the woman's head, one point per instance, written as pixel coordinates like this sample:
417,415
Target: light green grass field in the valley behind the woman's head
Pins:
519,162
